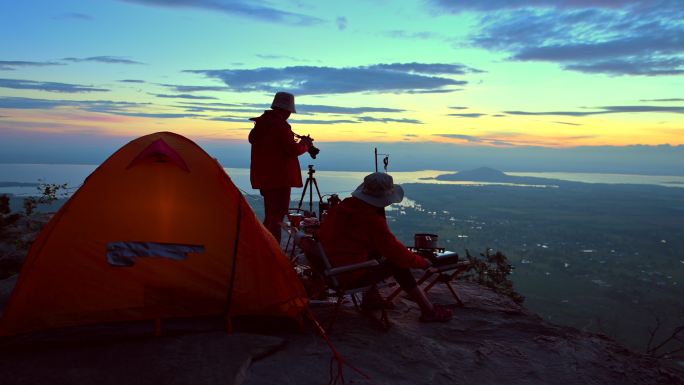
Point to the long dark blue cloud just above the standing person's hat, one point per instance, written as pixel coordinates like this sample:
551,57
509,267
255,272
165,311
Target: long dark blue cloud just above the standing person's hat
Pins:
310,80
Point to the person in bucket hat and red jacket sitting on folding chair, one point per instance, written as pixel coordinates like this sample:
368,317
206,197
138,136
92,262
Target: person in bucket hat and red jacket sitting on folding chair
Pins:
356,230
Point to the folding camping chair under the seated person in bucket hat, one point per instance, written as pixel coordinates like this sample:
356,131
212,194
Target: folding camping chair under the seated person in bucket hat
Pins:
321,266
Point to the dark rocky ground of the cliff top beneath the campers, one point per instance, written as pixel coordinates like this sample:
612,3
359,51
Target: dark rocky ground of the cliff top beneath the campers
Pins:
491,340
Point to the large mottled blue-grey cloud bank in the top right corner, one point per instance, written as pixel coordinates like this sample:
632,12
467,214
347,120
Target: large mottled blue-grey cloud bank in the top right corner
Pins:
610,37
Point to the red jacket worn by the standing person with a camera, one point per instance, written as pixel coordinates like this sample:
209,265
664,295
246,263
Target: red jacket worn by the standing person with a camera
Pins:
274,153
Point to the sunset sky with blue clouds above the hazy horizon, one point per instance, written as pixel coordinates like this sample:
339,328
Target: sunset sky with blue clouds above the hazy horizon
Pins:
502,73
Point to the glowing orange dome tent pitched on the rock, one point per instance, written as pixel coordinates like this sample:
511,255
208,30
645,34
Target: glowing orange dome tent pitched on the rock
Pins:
157,231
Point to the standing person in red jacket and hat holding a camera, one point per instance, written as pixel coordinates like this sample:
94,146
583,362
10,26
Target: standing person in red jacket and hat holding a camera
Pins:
274,167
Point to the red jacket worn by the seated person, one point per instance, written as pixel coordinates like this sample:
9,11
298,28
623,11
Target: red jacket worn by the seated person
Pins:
355,231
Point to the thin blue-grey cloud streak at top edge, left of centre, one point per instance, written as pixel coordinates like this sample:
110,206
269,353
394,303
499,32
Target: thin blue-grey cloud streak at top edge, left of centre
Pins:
242,8
